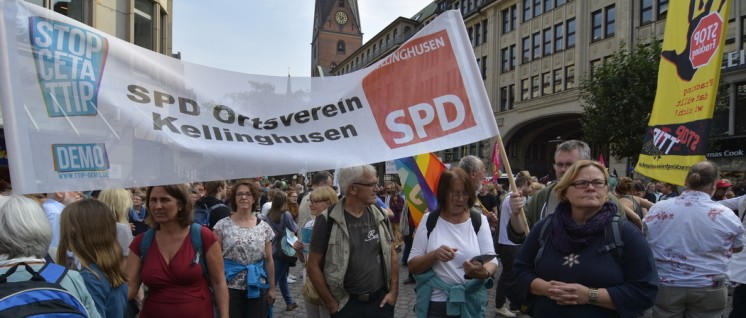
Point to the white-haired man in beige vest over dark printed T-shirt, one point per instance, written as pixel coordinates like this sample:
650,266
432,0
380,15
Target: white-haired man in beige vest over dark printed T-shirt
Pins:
353,265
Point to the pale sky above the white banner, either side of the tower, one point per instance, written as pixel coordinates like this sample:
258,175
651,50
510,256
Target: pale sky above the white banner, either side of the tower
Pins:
265,37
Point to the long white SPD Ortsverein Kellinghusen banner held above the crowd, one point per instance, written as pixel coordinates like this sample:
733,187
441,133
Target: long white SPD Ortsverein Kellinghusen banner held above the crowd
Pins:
85,110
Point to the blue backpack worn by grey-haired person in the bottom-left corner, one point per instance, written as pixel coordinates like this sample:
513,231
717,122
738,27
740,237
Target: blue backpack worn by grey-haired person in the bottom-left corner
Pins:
41,296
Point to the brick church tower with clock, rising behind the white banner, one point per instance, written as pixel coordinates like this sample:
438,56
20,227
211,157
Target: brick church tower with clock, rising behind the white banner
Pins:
336,34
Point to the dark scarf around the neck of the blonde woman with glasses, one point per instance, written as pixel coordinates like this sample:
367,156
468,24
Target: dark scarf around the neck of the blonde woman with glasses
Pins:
570,237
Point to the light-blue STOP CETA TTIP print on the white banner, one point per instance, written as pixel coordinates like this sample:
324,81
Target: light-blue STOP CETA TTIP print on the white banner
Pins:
69,64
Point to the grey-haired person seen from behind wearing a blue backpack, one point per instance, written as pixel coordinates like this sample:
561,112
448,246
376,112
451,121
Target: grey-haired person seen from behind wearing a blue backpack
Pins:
24,273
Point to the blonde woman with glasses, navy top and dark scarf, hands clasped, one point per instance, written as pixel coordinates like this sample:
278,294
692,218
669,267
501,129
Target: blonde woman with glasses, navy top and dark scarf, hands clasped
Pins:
573,275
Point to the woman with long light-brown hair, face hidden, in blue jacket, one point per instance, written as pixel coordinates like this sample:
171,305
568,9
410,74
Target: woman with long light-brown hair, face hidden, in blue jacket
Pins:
88,230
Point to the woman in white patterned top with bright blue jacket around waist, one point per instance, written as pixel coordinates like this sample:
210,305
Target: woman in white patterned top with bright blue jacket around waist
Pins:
247,252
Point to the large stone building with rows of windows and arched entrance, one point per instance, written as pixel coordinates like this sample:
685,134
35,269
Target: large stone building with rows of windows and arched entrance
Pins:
534,53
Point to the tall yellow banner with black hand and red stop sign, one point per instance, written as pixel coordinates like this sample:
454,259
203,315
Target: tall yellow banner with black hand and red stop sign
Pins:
679,127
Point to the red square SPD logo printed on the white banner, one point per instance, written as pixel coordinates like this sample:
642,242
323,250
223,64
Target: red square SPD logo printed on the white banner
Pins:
417,94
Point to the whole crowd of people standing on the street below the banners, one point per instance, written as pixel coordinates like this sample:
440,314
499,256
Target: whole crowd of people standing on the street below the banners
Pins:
587,244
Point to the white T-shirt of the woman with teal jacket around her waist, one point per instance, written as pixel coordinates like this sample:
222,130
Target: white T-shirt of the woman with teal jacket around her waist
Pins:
459,236
